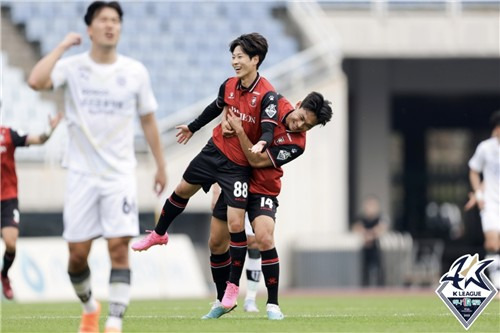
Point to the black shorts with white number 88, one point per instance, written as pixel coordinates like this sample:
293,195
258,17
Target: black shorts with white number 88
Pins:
211,166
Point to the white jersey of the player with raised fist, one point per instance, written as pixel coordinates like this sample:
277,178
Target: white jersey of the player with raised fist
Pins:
101,105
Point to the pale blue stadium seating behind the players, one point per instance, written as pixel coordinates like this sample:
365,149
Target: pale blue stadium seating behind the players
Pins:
183,44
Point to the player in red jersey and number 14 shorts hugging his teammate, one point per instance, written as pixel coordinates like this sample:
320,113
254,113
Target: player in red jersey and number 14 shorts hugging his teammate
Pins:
265,185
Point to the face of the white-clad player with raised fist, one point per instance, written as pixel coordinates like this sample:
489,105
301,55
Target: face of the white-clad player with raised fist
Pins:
105,28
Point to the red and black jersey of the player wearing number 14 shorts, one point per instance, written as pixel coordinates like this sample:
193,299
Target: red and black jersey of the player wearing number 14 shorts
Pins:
286,147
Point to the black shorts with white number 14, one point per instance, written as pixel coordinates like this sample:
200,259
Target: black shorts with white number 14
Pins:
258,204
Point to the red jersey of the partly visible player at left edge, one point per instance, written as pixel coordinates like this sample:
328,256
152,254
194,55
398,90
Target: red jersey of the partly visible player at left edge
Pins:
9,140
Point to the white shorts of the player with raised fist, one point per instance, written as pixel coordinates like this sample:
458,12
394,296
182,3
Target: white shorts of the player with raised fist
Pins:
95,206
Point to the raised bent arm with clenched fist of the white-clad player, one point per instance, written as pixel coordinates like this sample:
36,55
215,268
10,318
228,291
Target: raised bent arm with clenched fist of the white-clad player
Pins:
39,78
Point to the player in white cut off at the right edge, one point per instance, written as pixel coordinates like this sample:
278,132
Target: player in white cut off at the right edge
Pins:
486,161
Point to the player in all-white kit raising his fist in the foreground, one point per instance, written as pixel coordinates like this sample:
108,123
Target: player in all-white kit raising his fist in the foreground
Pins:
104,91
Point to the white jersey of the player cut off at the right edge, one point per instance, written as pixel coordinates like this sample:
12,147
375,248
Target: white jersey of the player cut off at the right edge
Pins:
486,160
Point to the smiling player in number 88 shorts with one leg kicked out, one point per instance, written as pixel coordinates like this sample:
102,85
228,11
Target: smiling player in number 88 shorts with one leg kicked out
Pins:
252,99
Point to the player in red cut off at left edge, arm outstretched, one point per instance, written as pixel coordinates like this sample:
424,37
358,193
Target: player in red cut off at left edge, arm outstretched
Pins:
9,141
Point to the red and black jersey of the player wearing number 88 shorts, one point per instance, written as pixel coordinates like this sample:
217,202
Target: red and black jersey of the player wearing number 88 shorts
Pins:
255,106
